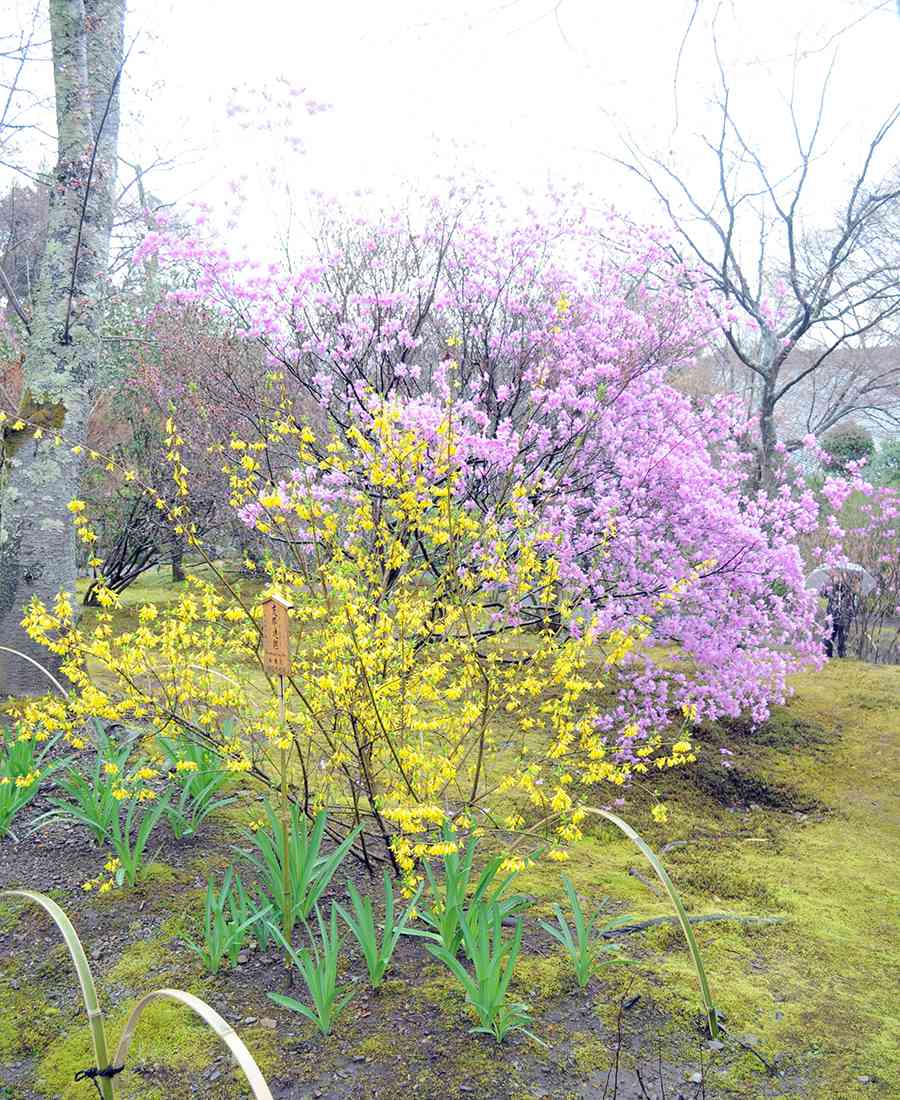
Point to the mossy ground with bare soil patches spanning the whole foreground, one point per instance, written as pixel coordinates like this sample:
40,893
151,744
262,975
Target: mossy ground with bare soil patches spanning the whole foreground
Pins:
803,831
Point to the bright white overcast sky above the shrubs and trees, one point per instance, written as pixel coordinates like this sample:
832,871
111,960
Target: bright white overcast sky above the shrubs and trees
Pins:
523,93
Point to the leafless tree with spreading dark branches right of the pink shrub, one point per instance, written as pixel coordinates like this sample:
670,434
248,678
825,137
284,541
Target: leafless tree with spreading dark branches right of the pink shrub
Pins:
797,300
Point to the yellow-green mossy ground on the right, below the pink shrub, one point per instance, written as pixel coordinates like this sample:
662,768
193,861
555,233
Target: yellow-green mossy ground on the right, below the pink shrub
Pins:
815,991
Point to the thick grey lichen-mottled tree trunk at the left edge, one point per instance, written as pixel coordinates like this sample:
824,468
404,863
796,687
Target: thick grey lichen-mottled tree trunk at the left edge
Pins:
37,540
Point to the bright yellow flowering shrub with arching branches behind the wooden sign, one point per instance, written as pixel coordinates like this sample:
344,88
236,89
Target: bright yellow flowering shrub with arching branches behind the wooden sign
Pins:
416,698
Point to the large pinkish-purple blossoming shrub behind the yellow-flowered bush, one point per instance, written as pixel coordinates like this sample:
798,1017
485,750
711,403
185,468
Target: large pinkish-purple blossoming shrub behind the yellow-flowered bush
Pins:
552,344
